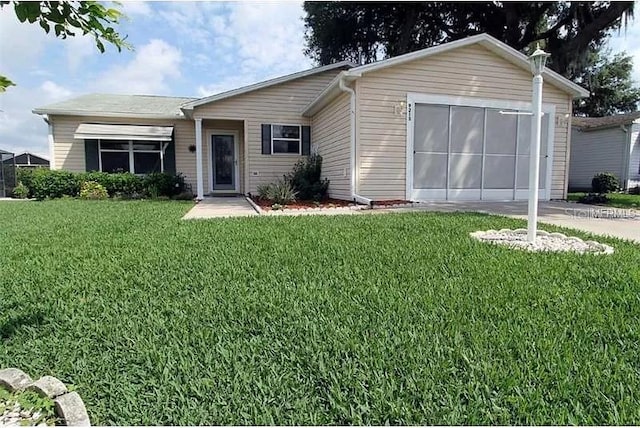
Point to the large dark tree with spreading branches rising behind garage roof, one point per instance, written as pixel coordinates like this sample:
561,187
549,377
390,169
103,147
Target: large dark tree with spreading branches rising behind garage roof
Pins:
366,31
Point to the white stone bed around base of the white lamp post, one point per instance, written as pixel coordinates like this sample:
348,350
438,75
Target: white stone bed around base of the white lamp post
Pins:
545,241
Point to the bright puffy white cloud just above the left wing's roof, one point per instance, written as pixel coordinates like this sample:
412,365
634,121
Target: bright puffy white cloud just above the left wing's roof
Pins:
148,72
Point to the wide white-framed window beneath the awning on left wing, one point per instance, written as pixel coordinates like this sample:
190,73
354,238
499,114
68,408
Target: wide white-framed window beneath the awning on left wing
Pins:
137,157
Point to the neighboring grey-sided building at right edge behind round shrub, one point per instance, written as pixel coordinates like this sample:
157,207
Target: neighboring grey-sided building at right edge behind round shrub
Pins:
605,144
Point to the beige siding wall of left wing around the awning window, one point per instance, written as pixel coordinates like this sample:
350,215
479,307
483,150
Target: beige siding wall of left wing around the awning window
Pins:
69,152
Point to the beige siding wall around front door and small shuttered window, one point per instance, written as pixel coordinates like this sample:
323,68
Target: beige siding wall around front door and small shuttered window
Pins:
279,104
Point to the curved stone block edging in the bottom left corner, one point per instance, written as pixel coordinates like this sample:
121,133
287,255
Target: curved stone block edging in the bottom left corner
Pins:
68,405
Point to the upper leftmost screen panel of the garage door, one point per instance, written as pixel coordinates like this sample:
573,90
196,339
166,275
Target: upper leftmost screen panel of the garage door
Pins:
429,134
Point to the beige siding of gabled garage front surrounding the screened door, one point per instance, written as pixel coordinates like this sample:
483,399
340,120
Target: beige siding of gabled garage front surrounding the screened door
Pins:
471,71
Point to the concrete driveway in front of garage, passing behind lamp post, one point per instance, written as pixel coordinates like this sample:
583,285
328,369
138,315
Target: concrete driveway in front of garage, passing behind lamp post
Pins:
617,222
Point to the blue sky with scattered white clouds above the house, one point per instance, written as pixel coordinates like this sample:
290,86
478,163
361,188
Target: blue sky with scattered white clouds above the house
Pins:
181,49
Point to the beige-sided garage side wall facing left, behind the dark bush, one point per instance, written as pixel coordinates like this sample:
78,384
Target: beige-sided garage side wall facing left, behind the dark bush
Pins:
330,133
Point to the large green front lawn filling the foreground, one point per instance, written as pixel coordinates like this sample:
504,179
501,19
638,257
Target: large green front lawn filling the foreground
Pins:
371,319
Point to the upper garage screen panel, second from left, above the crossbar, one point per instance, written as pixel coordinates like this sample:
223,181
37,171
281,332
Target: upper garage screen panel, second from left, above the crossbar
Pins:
467,134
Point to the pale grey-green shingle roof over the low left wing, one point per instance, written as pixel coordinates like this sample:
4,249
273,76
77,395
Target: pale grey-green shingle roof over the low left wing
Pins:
111,105
